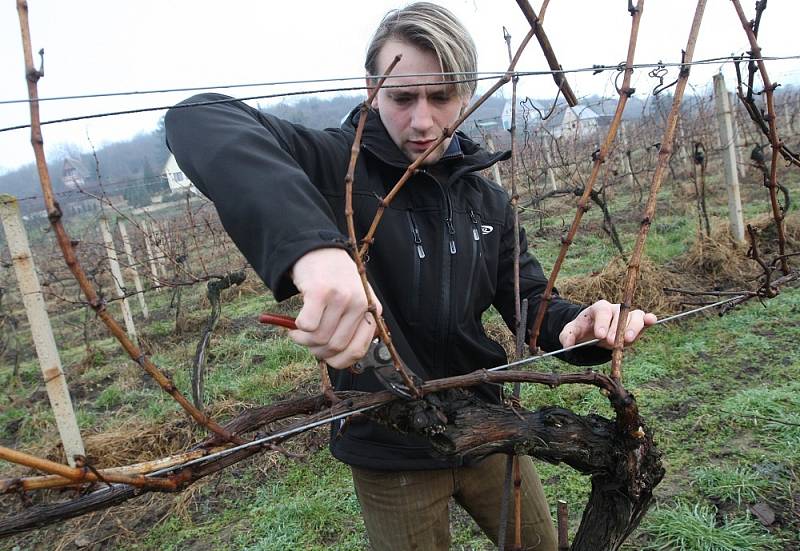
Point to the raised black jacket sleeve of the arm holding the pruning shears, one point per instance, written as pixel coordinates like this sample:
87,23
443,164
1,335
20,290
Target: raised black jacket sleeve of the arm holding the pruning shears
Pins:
266,177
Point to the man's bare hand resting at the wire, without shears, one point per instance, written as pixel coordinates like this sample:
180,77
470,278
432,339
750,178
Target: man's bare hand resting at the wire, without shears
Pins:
599,321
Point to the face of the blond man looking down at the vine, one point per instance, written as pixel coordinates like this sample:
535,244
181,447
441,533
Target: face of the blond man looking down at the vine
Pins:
415,115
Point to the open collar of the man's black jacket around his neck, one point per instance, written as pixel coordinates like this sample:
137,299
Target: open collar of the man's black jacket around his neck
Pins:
463,154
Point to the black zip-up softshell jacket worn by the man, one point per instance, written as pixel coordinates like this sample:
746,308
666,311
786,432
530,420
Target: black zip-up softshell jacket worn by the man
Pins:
443,253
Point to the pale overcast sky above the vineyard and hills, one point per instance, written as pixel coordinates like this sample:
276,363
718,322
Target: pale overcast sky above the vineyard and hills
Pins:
96,46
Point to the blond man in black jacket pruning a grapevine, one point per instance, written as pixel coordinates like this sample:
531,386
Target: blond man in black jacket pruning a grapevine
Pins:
443,254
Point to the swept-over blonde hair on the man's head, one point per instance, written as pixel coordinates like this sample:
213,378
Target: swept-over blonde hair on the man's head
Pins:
433,28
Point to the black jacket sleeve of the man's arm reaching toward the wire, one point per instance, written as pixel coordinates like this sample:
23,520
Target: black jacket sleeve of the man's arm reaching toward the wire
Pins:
532,285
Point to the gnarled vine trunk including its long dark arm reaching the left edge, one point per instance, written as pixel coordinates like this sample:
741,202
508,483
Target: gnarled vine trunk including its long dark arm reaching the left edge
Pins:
624,471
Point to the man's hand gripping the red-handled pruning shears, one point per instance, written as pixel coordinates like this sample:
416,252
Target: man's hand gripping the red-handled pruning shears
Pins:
333,323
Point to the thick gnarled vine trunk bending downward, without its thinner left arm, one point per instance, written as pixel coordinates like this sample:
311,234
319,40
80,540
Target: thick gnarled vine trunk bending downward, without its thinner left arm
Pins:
623,476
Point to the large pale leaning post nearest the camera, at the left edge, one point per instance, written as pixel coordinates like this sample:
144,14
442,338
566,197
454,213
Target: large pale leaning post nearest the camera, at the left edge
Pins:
41,330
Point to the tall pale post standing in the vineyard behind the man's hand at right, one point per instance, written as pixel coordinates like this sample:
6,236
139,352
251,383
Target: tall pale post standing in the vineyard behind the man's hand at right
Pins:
723,108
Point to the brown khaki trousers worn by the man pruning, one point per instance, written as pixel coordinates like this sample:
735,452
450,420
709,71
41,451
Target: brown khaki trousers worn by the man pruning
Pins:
408,510
